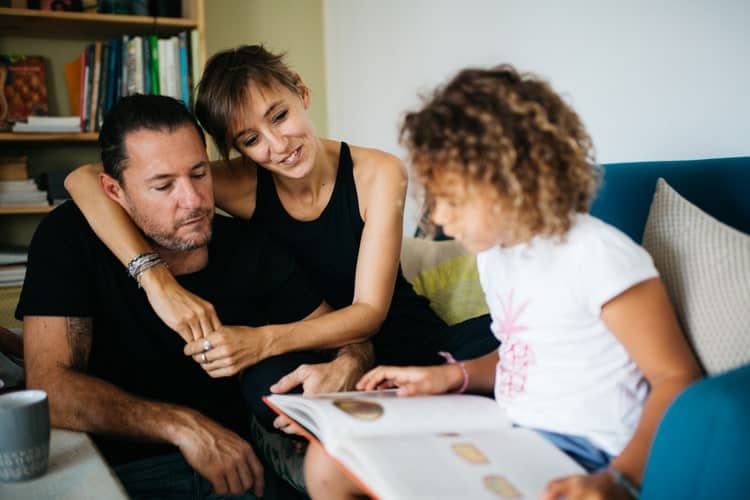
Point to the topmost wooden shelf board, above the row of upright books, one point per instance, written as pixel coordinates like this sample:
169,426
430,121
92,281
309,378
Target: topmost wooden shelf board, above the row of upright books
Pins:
79,25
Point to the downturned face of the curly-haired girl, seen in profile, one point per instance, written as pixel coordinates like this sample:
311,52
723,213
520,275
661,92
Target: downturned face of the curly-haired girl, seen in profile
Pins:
471,213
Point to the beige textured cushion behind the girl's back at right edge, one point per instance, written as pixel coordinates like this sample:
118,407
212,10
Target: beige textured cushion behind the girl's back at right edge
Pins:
705,266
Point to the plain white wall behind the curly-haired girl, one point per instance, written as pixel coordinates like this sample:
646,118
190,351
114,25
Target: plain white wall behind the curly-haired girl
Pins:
651,80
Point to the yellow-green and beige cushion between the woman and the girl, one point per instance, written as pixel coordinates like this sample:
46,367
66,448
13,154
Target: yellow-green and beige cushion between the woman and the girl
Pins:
445,273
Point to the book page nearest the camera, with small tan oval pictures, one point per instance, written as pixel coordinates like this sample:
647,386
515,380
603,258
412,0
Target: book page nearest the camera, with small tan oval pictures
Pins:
505,463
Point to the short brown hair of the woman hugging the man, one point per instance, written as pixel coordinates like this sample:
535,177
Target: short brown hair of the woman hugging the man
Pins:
224,87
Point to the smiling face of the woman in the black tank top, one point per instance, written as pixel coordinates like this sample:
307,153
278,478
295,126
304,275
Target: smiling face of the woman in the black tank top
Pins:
274,131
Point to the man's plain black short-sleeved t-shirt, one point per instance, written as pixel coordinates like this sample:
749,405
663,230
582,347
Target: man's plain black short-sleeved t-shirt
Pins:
249,279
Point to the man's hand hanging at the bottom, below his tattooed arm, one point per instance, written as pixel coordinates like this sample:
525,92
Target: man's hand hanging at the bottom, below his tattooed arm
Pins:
226,460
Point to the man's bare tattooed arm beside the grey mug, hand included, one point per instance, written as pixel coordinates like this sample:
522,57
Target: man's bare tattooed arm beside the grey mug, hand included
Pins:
56,357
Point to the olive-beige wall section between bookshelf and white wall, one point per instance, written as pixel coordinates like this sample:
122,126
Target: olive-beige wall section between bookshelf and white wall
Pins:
290,26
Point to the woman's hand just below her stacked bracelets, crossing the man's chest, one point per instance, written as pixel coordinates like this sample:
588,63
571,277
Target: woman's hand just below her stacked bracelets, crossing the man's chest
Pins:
184,312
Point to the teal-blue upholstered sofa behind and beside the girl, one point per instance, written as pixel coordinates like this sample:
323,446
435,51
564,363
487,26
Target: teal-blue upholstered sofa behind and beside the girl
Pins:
702,446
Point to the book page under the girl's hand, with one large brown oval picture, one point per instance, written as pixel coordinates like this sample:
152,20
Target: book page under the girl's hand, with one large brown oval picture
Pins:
337,416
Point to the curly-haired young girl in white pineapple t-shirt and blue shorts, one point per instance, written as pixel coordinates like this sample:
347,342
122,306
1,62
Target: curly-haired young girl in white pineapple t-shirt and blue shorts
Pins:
591,353
